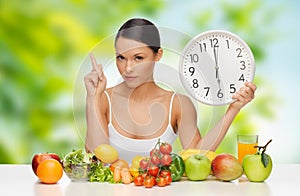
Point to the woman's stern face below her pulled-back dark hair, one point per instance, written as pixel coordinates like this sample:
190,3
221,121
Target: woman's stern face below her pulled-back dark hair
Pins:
135,61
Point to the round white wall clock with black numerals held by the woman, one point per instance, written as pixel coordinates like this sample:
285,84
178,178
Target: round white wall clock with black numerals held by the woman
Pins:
215,65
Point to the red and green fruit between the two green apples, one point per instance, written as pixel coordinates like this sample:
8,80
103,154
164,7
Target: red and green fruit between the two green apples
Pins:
226,167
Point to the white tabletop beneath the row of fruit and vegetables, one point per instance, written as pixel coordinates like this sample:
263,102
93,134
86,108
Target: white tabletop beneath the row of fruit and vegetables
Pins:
20,180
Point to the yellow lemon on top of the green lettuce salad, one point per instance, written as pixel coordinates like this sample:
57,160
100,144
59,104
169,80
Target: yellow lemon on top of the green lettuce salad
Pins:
106,153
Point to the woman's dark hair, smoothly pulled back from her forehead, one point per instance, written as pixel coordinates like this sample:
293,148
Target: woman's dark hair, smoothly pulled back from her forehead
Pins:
141,30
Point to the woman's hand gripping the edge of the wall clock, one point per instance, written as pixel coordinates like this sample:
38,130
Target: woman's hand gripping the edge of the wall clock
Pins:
244,95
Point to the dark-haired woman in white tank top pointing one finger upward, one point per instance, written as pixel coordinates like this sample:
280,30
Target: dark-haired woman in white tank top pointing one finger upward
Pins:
132,115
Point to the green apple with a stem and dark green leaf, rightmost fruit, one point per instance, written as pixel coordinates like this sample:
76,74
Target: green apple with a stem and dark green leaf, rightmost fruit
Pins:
257,167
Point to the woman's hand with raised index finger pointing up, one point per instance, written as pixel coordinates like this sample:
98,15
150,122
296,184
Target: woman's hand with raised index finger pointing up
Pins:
95,81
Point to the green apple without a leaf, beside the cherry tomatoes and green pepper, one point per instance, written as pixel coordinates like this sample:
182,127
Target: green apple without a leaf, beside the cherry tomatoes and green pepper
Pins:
197,167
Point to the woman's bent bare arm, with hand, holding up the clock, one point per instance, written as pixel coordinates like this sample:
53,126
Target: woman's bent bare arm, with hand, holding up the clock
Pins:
188,131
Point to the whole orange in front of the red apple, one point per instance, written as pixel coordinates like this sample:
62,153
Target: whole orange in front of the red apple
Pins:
49,171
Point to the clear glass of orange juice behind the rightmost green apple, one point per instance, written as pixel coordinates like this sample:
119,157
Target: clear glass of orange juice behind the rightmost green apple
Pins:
246,145
